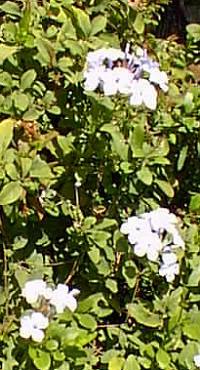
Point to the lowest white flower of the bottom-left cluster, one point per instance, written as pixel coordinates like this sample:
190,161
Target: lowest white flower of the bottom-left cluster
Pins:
32,326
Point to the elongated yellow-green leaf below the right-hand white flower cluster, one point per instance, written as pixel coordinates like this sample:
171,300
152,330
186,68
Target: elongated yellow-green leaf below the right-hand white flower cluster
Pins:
144,316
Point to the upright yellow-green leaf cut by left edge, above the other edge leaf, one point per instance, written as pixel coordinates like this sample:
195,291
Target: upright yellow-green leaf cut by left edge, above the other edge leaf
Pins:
6,133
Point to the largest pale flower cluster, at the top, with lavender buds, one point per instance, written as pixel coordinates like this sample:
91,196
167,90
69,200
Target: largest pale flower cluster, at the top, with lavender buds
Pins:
135,75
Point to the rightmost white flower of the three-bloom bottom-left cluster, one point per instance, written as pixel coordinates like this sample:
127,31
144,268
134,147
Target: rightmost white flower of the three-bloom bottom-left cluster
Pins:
62,298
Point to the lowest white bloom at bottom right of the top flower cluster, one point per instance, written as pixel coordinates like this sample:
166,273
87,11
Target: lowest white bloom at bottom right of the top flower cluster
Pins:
143,92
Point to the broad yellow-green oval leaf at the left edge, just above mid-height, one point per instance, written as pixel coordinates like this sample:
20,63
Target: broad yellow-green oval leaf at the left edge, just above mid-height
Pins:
10,193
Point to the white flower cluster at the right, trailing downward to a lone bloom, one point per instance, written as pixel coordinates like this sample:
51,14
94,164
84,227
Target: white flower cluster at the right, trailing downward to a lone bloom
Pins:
155,234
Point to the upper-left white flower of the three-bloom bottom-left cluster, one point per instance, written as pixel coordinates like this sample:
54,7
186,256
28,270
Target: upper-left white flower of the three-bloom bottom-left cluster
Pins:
33,289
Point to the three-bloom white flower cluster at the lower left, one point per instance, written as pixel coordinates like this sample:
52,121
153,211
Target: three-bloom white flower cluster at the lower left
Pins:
38,294
